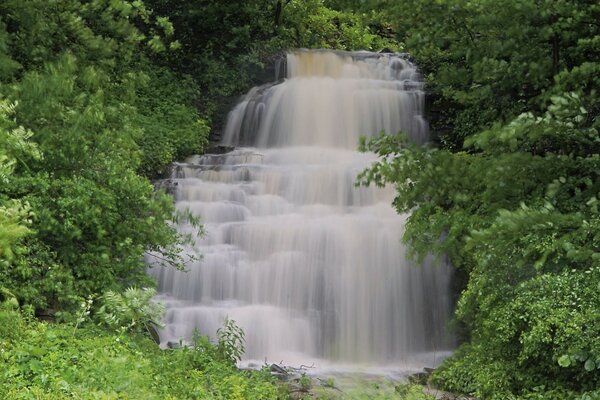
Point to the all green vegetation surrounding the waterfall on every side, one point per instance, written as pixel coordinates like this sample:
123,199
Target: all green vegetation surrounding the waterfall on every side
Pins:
99,97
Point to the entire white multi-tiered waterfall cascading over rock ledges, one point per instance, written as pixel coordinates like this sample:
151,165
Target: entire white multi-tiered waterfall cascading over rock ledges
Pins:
310,266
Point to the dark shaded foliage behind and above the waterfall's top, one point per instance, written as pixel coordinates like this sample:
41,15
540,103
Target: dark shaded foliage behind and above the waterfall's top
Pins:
225,46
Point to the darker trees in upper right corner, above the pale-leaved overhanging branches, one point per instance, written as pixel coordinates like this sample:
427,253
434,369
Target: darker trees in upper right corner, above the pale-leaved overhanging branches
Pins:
489,61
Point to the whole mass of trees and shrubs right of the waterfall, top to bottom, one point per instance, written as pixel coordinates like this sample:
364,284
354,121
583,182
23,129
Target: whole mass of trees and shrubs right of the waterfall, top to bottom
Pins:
510,189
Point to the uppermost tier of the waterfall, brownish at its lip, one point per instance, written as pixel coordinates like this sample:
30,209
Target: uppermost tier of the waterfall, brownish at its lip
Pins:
329,100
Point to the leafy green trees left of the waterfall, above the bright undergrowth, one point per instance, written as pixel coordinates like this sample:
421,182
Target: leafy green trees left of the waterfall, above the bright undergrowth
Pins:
79,75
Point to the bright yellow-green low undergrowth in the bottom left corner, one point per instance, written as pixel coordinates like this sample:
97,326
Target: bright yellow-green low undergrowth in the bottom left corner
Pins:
45,361
